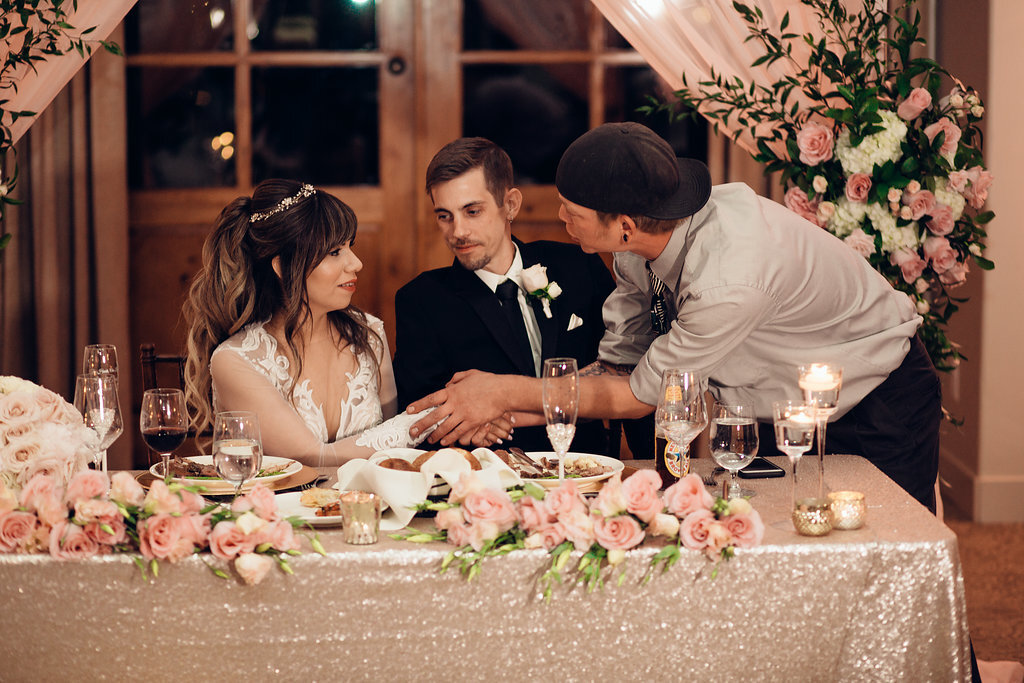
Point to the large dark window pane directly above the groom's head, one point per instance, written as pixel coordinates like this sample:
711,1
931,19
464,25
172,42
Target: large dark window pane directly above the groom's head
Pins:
533,112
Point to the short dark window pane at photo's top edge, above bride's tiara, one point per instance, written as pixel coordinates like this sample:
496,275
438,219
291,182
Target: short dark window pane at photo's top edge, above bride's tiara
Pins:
315,25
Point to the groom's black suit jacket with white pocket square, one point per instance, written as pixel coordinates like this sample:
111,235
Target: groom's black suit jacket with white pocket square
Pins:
450,321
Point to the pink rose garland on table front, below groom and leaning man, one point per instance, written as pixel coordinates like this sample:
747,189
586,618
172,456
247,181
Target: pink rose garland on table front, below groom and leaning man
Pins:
484,523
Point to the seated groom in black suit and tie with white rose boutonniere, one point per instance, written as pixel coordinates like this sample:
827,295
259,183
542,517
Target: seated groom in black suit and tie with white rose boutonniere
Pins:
479,313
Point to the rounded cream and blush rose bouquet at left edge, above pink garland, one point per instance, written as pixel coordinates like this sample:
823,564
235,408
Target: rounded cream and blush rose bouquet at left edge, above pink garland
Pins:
40,434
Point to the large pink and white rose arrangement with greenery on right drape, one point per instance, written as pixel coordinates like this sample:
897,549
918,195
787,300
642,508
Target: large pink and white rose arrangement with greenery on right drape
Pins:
872,146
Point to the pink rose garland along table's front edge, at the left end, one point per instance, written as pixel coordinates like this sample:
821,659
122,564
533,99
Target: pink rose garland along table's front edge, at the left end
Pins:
95,515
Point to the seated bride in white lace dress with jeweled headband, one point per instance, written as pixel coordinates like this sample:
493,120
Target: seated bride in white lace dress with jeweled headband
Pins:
272,329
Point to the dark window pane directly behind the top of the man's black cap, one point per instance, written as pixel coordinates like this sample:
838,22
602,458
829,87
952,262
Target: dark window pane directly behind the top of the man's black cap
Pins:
627,89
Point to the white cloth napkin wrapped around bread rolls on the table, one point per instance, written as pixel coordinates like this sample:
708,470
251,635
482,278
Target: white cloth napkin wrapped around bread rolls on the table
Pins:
400,491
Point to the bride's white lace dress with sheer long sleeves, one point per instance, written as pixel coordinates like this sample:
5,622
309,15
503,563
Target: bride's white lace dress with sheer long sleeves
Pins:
250,373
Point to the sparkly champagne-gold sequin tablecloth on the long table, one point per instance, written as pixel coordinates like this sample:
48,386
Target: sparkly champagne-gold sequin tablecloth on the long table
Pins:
881,604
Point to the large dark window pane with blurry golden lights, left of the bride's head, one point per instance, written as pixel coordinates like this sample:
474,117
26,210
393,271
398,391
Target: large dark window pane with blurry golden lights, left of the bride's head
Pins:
181,127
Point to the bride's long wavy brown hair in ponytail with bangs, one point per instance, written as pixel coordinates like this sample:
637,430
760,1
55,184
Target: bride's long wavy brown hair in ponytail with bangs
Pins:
238,285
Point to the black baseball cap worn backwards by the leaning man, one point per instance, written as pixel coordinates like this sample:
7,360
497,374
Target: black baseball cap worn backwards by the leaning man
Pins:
628,168
